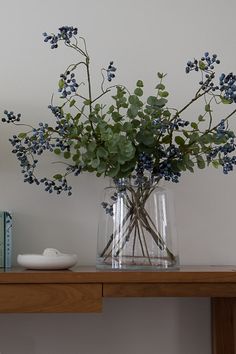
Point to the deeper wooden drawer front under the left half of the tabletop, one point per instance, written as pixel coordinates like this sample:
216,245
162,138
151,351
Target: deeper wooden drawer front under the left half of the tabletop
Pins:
50,298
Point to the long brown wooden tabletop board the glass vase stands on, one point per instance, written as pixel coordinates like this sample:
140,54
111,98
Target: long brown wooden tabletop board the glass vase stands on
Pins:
185,274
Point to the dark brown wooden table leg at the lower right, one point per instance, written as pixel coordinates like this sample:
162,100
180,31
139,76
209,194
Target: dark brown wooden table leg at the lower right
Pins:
223,325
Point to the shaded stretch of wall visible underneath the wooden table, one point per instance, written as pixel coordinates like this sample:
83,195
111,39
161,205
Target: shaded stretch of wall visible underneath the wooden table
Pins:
127,326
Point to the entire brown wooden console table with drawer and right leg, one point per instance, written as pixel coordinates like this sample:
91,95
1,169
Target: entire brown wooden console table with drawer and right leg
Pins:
82,290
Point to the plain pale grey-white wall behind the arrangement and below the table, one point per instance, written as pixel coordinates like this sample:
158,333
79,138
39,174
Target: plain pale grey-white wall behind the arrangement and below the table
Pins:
142,37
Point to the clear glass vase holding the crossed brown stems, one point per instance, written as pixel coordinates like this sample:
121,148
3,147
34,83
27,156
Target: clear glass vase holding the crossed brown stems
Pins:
136,227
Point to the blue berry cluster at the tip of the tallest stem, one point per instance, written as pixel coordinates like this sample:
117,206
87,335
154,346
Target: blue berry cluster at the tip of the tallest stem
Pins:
65,34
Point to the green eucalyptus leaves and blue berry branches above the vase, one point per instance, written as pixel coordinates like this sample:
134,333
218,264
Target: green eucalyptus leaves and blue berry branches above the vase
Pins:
132,136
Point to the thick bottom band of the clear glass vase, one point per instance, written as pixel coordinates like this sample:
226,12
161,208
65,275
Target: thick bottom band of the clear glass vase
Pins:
137,263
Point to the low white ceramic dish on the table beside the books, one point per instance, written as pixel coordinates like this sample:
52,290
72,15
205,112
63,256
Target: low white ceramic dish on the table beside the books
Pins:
50,259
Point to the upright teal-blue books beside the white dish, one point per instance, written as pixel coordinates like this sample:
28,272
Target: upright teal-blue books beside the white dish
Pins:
5,239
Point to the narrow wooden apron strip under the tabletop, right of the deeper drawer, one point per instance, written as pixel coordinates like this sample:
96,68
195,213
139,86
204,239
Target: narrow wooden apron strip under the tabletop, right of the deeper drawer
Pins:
170,290
